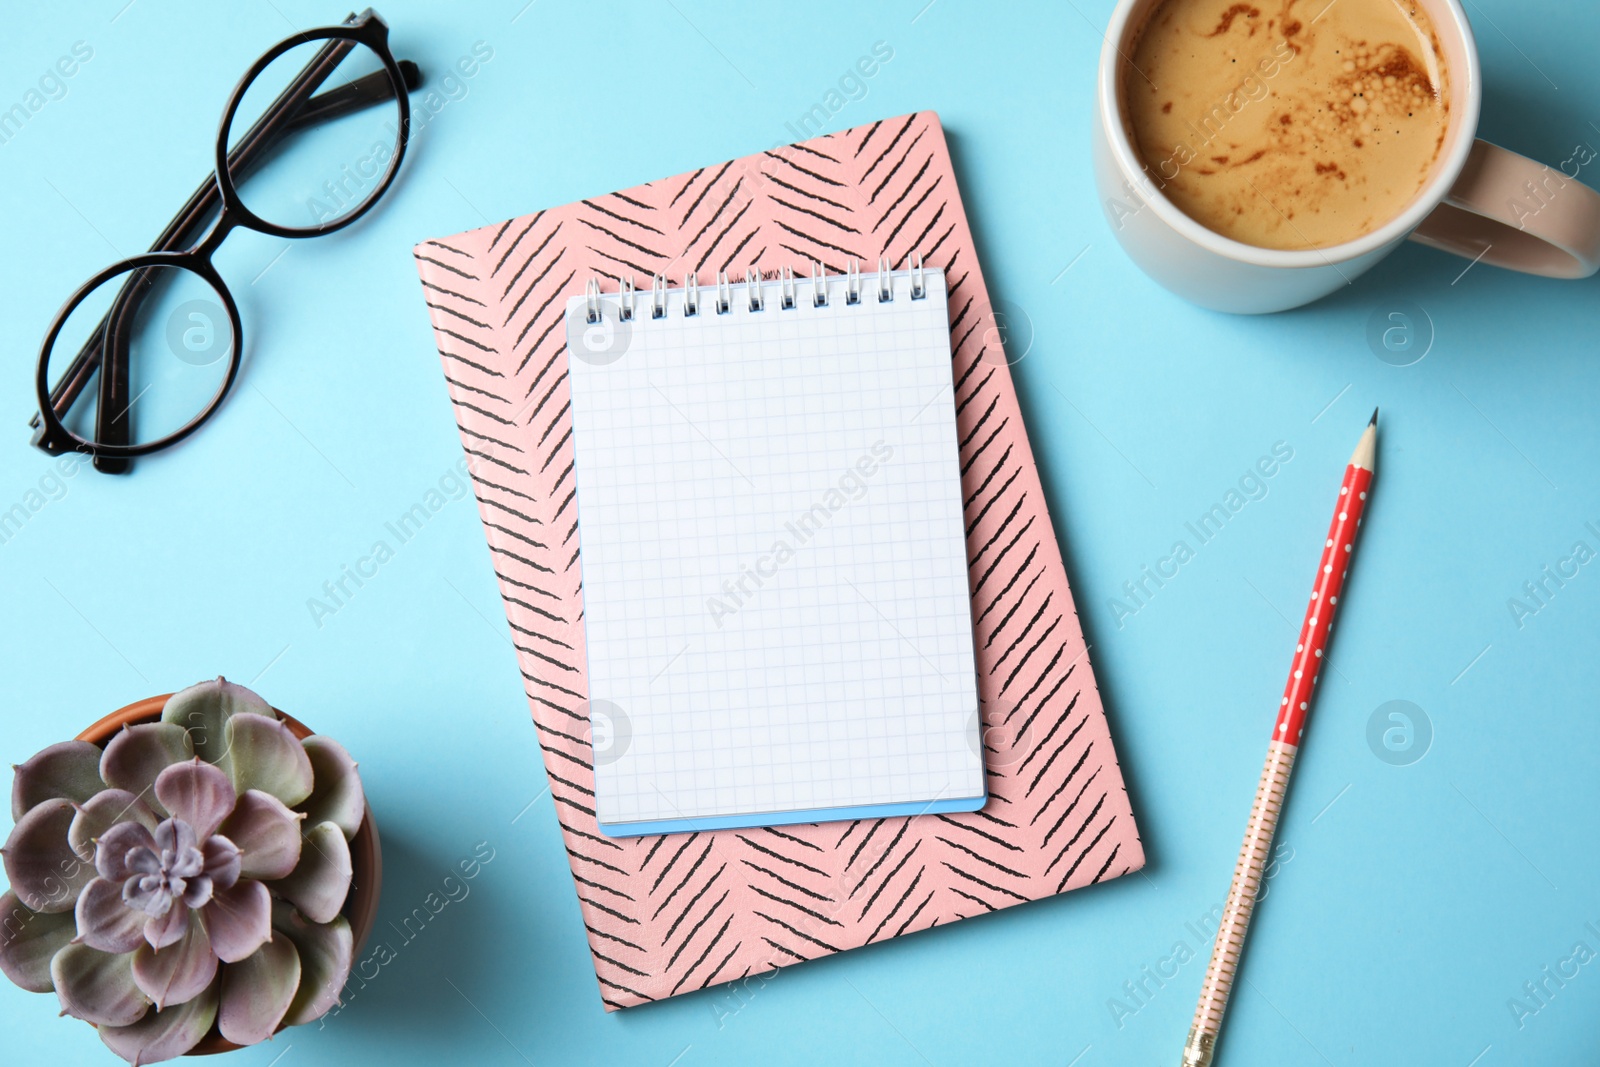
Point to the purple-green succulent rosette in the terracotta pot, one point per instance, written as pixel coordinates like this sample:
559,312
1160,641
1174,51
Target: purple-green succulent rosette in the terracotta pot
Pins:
188,876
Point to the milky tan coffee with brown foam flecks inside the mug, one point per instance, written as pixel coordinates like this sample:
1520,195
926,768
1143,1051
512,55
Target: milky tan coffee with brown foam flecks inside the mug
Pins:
1289,124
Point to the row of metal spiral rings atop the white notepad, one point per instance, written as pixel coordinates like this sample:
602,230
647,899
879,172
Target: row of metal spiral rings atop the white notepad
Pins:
754,297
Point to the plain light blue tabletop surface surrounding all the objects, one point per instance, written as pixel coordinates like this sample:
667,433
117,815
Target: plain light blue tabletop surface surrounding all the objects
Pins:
1410,905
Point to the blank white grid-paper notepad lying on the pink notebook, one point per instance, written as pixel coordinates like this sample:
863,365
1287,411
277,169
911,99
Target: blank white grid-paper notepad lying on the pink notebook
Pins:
774,559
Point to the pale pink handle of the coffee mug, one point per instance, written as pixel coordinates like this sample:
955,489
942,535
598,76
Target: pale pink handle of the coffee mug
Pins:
1511,212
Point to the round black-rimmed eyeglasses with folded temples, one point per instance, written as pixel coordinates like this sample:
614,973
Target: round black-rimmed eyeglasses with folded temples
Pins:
162,330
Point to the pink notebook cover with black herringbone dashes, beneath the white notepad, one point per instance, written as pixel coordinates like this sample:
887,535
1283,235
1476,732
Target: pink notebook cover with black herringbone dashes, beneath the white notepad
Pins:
671,914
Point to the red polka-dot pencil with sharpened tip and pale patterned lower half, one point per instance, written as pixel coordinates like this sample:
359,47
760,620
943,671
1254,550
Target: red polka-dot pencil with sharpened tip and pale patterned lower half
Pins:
1332,570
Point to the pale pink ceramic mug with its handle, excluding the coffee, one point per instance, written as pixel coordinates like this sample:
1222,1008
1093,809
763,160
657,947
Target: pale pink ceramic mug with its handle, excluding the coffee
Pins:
1482,202
